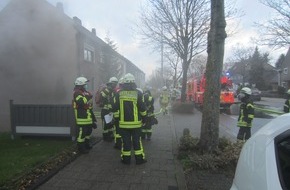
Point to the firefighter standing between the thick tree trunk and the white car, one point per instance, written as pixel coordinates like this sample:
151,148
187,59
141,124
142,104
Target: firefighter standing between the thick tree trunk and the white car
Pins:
246,114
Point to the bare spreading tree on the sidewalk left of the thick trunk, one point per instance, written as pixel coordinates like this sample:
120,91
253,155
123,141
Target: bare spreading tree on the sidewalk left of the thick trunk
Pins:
180,25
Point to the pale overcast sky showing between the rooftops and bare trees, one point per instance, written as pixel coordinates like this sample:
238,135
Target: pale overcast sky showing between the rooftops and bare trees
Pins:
116,17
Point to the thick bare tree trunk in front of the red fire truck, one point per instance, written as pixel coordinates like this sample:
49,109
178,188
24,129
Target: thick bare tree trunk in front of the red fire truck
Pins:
209,137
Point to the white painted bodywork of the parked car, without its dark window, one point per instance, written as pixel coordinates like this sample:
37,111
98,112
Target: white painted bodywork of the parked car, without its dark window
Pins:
256,168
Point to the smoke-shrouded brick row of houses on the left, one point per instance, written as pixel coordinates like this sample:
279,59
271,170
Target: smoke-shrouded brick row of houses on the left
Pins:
43,51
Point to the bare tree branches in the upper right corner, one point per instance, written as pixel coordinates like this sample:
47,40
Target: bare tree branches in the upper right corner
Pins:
276,32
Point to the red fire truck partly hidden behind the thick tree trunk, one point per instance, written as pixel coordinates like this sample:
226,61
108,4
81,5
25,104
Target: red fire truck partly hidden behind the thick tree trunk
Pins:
196,88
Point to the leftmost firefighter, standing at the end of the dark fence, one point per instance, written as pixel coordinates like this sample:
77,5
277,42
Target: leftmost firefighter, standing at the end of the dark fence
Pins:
85,118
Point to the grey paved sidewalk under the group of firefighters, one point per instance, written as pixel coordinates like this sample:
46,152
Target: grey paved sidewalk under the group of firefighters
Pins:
101,169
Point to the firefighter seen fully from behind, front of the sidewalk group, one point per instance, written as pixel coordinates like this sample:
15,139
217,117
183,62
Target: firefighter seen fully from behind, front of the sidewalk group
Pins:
129,114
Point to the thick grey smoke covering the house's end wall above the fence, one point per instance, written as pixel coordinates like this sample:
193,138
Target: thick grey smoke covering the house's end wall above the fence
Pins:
38,55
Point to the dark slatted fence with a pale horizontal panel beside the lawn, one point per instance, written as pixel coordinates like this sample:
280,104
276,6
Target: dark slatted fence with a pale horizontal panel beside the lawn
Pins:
42,120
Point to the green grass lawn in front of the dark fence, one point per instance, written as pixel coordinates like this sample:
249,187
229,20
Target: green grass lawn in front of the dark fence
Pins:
24,153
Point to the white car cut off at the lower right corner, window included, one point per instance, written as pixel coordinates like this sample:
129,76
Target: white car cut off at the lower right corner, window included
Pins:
264,162
